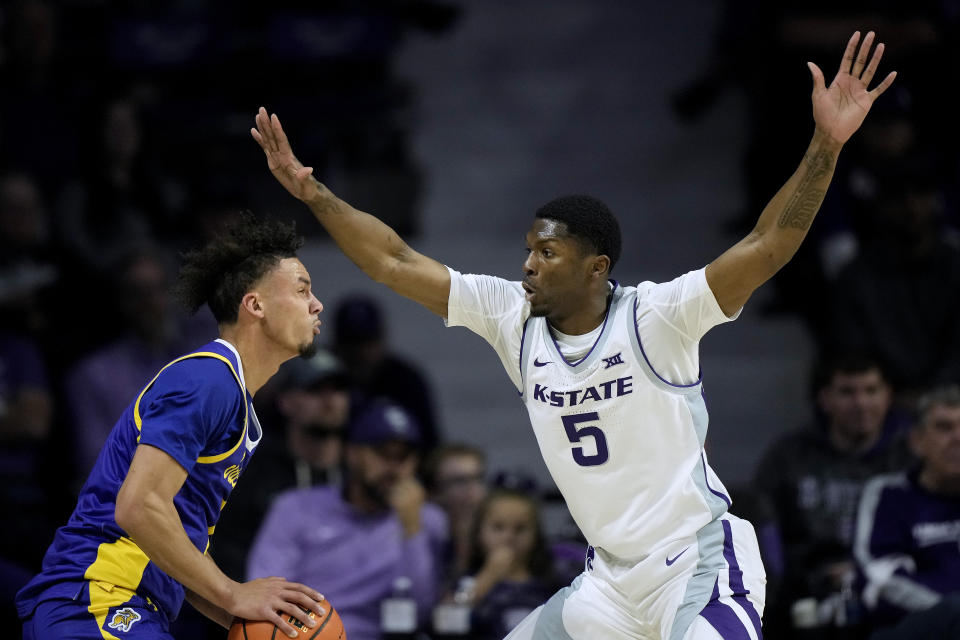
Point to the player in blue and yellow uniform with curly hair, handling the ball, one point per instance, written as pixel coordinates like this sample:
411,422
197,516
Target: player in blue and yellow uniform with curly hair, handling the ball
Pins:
136,543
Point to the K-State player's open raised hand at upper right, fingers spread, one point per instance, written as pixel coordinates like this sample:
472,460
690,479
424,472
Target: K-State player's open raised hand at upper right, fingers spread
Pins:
839,110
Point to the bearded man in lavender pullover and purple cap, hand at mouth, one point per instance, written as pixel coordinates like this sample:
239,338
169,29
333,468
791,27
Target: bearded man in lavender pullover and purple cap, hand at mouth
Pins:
356,541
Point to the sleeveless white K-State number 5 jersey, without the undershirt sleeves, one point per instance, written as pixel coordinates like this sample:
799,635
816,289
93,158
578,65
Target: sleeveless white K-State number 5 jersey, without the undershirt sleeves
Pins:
624,446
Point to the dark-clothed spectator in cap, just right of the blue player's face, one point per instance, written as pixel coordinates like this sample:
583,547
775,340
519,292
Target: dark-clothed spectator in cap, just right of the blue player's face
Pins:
360,336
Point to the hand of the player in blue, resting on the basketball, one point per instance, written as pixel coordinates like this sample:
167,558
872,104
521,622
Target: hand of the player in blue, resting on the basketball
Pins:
270,598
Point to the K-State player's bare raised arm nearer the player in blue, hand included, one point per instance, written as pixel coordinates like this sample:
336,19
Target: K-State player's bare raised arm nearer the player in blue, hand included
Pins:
369,243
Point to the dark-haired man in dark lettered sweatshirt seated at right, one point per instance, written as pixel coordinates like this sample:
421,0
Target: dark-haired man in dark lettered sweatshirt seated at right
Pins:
813,477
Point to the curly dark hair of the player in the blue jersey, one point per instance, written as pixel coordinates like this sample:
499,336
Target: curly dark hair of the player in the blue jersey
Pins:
220,273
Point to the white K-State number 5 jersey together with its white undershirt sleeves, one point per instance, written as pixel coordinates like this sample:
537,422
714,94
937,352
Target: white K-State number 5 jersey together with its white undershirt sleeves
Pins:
624,446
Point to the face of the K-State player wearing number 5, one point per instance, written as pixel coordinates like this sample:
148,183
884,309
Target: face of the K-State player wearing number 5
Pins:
556,272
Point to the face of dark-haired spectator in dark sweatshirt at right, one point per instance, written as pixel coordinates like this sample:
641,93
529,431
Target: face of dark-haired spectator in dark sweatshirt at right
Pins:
856,403
